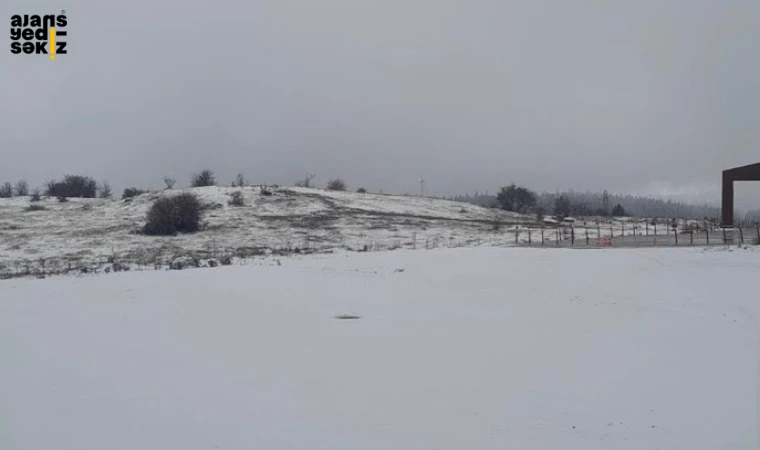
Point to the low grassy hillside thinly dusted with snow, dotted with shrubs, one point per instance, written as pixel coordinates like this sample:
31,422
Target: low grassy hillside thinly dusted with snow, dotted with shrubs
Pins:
96,231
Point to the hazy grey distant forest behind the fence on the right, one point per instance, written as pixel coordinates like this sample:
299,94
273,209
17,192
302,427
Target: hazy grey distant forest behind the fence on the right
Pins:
590,203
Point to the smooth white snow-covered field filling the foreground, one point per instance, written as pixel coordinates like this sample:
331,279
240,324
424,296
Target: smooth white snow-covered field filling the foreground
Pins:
453,349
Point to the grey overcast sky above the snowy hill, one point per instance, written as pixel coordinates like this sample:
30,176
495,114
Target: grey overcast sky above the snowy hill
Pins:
646,96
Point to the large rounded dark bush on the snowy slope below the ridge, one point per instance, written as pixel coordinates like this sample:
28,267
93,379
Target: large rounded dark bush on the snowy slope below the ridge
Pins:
172,215
